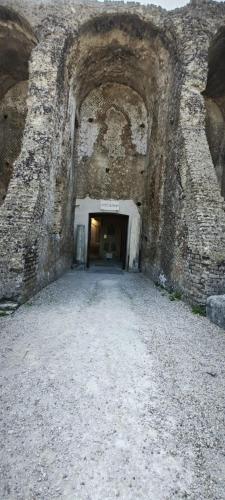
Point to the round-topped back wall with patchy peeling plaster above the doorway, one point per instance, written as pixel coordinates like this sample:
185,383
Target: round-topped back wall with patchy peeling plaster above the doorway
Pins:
112,144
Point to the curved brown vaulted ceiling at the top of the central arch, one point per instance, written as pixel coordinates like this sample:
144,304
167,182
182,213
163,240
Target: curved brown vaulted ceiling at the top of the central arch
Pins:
121,48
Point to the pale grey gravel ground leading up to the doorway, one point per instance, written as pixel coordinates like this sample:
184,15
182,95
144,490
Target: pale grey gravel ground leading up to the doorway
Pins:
110,390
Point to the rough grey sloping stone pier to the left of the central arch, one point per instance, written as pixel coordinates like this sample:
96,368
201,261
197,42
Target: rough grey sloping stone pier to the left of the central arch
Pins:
32,249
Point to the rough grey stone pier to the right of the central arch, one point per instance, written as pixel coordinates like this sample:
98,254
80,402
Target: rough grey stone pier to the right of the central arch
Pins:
203,207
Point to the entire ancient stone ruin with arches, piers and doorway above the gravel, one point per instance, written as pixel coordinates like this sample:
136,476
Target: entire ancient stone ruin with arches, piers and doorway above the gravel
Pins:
112,115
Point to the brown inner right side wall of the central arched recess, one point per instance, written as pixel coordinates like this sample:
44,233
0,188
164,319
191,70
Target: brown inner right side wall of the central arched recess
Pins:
162,208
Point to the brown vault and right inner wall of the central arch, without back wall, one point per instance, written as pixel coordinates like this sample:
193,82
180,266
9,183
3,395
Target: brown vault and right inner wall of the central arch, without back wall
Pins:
123,49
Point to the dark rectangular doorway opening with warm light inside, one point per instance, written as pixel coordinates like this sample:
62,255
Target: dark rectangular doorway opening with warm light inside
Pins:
107,241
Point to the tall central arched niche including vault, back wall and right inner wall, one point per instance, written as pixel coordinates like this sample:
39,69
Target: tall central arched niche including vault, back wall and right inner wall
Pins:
123,50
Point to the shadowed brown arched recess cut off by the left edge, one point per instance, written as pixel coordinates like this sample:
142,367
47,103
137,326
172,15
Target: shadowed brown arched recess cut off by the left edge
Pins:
16,43
